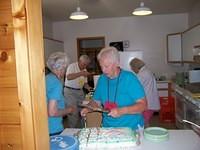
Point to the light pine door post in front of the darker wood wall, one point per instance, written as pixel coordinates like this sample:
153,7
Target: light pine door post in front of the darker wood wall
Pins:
28,35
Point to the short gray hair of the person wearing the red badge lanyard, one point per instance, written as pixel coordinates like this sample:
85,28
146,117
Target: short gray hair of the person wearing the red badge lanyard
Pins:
110,53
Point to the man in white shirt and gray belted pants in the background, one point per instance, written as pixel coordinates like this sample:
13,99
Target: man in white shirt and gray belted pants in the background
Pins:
75,79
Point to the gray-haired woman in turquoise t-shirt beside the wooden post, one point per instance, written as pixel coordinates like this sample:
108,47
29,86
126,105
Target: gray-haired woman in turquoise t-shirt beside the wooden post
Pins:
57,64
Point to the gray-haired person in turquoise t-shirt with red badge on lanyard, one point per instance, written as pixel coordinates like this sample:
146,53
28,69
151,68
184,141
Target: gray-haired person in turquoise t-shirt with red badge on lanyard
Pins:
118,91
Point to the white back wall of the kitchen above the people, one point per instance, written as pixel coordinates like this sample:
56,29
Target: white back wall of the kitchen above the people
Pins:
144,33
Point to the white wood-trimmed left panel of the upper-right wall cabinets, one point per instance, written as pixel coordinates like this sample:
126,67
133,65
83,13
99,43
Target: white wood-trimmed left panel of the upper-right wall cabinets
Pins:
174,48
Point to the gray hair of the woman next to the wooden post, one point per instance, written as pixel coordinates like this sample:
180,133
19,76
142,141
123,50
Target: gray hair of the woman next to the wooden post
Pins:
57,61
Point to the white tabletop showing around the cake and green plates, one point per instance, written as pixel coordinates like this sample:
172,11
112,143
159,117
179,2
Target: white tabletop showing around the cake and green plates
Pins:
178,140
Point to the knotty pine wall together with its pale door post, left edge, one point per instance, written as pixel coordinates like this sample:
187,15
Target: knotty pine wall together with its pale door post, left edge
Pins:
23,112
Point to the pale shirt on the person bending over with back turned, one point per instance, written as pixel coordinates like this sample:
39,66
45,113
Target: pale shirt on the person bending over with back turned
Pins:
148,81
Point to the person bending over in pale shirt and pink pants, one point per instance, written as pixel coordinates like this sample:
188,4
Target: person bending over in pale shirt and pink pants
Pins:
149,83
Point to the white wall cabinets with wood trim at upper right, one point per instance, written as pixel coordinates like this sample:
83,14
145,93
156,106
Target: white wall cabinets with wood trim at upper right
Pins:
182,47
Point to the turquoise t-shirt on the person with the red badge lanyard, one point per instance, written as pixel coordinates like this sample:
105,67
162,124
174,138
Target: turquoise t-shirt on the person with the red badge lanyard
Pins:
125,90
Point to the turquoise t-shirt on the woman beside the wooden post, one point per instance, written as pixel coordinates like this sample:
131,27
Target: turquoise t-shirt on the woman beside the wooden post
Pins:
54,90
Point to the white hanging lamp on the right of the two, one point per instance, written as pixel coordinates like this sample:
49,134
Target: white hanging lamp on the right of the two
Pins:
142,10
